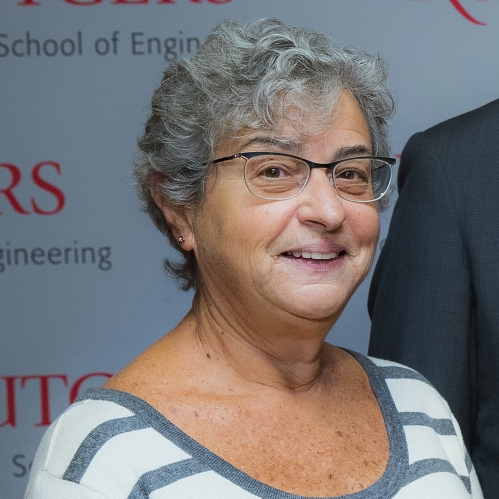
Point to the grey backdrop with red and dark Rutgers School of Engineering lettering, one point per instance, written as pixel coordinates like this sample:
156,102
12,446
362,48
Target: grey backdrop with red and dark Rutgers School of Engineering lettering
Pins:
82,290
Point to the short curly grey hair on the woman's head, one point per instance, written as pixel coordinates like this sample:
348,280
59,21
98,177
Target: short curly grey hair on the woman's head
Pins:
243,77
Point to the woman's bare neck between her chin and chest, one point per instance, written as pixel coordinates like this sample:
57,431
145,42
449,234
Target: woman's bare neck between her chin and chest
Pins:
275,349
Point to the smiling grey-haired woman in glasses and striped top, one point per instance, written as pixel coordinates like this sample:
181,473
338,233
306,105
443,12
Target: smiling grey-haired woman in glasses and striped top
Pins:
244,398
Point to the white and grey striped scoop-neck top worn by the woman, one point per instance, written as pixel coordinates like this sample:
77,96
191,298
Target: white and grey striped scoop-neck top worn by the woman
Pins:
113,445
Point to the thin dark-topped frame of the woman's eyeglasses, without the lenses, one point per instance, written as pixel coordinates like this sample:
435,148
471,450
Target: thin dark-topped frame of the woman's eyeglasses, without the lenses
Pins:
311,165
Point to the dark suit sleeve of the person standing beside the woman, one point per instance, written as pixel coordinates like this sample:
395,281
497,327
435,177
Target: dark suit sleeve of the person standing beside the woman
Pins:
420,299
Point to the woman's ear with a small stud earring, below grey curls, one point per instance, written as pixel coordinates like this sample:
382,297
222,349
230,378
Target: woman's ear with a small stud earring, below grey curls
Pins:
178,217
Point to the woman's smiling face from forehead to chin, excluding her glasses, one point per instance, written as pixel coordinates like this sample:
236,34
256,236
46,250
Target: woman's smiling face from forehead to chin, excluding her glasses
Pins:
253,253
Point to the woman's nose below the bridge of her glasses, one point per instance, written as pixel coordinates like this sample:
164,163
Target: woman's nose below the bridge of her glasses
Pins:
320,202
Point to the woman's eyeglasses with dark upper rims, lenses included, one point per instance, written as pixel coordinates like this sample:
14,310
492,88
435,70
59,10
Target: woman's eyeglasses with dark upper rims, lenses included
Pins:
279,176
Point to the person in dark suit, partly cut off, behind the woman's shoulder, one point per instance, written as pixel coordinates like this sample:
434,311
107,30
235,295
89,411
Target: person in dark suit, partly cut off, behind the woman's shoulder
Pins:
434,298
